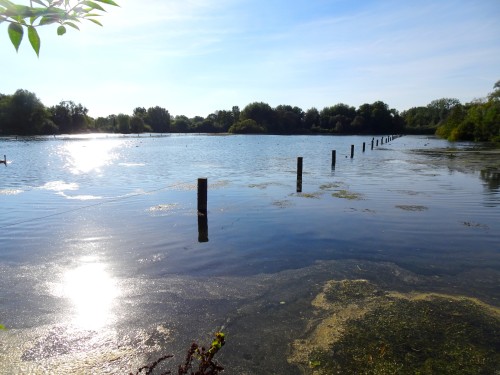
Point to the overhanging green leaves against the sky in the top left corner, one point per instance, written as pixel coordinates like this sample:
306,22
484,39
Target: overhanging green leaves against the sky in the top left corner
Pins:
47,12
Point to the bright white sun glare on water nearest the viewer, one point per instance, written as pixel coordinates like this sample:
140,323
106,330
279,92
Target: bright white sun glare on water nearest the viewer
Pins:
92,291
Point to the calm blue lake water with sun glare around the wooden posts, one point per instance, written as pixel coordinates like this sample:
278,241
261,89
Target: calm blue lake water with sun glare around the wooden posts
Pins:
103,265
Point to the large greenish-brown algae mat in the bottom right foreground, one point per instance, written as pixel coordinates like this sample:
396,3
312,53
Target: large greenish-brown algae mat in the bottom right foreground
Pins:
368,331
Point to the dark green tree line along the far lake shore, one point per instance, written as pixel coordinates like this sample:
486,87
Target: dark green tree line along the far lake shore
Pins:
22,113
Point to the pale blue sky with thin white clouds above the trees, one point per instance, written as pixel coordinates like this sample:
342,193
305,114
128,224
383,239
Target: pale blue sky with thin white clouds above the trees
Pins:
194,57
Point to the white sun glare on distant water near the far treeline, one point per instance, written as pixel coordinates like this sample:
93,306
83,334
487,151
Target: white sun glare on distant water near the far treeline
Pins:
87,156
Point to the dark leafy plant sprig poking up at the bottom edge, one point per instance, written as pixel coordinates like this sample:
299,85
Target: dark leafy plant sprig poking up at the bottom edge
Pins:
195,355
